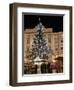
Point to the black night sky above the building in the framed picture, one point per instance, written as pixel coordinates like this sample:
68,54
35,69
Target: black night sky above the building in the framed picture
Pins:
55,22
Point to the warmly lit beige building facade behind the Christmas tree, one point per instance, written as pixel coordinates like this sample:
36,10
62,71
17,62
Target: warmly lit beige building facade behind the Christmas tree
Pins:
54,41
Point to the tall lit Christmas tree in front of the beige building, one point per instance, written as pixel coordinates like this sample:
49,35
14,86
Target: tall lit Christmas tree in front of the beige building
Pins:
39,46
